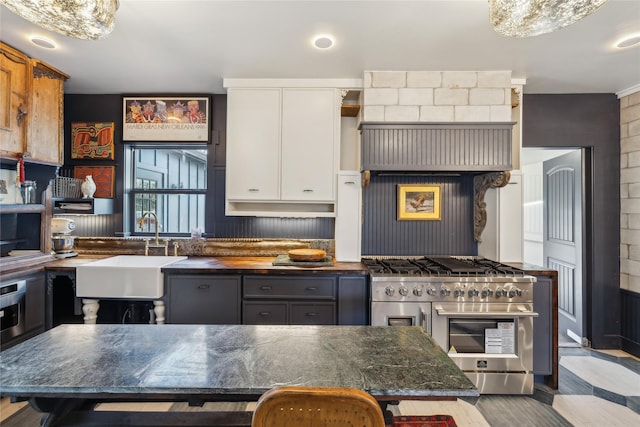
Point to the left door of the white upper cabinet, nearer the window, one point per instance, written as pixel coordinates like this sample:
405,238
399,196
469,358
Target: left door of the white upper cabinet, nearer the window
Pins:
253,144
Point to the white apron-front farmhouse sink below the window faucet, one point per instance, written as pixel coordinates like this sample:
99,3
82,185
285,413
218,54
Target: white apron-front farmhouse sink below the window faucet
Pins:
123,276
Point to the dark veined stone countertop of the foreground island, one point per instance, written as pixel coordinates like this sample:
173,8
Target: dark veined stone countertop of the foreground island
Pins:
213,362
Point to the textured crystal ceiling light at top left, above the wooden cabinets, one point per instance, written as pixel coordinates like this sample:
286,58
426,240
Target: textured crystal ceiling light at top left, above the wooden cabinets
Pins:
88,20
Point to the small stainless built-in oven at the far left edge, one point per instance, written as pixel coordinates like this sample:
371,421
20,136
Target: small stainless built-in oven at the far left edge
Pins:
12,309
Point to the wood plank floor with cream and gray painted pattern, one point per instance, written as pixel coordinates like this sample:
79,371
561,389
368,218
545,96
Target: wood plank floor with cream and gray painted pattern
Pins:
595,388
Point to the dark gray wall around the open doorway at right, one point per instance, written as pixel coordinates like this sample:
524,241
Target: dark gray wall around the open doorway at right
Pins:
591,121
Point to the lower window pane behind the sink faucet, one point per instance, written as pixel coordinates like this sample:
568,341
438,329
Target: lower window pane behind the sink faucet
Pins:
177,213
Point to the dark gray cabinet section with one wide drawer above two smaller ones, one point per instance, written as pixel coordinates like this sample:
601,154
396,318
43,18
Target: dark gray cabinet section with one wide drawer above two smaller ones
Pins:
292,300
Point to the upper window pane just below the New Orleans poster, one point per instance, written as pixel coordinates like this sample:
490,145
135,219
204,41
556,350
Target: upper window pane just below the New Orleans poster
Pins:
170,168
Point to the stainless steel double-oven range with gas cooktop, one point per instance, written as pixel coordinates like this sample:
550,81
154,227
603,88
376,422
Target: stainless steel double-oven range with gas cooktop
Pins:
479,311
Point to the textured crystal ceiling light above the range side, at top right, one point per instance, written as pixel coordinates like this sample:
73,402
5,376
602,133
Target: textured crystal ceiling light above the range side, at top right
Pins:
527,18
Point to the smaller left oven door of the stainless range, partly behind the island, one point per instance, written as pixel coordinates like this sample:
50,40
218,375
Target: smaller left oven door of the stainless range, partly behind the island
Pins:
401,314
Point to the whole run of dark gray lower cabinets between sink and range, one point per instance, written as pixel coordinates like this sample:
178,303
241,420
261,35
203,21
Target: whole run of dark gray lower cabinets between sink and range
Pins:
267,299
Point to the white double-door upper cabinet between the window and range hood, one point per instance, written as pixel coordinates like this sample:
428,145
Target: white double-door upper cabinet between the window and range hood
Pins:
283,148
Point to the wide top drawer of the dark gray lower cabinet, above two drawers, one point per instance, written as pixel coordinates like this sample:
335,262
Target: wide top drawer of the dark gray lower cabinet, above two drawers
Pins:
290,287
